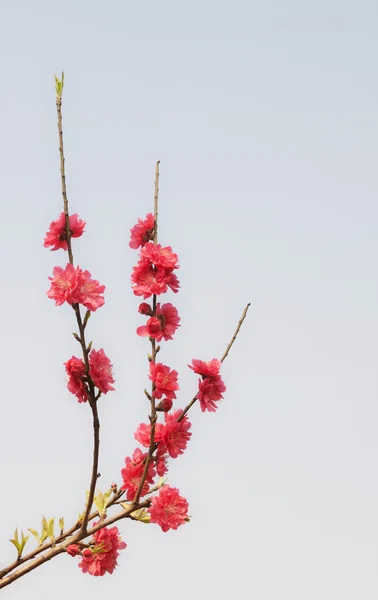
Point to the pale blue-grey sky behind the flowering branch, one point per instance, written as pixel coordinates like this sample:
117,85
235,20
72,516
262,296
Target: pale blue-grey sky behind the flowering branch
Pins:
264,117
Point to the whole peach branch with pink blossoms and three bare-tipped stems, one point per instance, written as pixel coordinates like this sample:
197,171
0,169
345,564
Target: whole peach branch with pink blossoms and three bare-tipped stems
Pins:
143,493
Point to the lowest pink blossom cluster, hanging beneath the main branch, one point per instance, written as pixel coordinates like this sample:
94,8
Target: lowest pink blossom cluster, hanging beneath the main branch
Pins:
102,557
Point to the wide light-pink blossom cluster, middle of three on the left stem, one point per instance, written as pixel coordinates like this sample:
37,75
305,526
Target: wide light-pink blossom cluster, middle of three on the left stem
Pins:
75,286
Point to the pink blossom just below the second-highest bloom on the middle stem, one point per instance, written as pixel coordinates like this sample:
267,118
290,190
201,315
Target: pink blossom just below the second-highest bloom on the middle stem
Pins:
148,280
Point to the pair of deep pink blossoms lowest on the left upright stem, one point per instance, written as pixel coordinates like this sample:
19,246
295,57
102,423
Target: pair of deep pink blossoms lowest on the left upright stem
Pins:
100,371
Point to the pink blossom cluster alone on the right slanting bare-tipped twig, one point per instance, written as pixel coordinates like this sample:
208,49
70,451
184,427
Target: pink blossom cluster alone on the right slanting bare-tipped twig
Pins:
211,385
